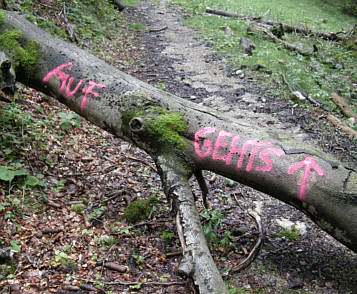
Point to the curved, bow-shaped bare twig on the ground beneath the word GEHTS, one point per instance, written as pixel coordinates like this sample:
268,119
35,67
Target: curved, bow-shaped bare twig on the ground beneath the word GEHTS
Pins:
258,245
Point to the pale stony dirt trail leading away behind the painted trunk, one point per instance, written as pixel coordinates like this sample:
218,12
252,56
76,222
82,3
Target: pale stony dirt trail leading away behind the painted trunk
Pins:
203,70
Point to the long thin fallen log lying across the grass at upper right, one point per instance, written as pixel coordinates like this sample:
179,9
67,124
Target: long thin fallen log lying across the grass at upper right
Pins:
333,36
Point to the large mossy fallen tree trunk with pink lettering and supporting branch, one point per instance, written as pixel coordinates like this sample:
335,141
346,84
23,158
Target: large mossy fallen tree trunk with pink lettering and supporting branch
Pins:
184,138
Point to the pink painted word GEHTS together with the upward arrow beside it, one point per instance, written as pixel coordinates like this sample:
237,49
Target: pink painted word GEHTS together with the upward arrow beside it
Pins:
227,143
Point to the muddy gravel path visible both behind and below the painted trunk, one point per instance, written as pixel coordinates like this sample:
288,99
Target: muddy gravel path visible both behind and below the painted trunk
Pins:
177,60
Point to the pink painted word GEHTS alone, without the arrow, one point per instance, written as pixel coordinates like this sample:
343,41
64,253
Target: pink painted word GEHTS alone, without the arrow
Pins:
209,148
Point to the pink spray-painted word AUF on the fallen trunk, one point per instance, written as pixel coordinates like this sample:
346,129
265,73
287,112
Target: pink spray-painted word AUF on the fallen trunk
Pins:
66,86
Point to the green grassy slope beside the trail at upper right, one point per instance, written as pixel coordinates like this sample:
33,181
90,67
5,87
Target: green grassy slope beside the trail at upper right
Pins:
332,69
